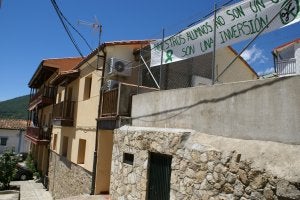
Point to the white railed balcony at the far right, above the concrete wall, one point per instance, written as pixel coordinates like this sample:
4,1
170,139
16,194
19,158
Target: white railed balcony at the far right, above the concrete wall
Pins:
286,67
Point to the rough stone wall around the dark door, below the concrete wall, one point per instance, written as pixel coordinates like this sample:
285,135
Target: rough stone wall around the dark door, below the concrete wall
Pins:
199,171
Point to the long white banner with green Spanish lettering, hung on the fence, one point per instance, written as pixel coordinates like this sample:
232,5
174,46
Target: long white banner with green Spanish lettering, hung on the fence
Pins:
234,23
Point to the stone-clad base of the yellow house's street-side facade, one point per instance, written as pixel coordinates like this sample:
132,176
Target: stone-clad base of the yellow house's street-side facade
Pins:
66,178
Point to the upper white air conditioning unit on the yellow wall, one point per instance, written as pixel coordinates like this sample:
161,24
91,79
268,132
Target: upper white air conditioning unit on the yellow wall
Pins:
118,67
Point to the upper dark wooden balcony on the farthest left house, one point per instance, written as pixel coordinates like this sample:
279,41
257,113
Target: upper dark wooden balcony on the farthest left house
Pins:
43,97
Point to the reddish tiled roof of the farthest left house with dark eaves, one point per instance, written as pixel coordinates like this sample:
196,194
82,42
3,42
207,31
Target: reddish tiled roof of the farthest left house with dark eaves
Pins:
52,65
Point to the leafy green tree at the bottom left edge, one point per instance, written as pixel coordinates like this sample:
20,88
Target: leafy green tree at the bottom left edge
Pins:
8,162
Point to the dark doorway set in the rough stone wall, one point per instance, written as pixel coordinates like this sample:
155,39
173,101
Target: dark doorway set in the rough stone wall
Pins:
159,176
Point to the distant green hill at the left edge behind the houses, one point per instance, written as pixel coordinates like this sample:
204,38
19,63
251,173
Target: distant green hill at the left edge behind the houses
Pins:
14,108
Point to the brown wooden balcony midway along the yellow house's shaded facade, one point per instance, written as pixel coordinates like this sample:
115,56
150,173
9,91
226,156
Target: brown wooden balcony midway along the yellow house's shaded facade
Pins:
63,113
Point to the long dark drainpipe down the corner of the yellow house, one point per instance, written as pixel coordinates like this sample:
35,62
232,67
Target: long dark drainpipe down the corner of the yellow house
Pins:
97,125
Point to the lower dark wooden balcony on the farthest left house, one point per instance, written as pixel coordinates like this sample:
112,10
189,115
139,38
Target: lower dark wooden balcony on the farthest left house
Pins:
38,136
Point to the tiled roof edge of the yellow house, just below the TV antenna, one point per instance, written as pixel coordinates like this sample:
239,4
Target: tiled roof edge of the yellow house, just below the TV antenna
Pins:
113,43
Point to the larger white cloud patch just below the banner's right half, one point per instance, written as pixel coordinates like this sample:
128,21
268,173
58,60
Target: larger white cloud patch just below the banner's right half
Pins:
253,55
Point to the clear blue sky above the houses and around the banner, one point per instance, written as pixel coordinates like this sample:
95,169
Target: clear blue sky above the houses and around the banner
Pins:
31,31
